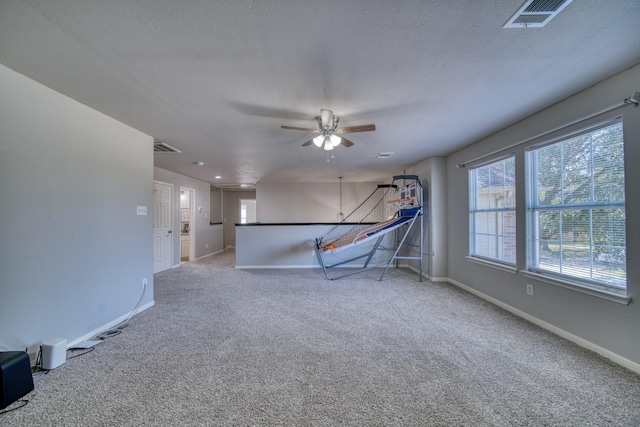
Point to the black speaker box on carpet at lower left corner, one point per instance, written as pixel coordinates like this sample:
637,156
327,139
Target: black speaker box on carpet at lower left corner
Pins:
15,376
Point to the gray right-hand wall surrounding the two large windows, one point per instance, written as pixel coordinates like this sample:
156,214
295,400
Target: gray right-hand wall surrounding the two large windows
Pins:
603,324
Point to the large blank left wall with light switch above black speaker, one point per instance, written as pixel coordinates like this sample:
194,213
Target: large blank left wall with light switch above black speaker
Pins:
73,252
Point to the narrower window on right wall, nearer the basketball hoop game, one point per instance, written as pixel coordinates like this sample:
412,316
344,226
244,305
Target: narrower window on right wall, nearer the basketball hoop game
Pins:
492,212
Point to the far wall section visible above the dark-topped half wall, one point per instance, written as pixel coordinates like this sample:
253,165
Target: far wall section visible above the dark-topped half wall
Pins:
309,202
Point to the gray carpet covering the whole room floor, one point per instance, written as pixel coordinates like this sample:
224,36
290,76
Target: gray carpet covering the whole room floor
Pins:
288,347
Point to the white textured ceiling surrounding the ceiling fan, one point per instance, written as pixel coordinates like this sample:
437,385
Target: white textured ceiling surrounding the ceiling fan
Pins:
216,79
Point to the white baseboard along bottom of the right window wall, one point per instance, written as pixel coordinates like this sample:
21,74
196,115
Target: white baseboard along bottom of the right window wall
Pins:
554,329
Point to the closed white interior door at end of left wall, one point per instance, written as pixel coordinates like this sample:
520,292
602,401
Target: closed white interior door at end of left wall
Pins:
162,232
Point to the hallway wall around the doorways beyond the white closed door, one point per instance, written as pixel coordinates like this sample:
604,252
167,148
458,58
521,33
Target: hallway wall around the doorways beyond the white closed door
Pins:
208,238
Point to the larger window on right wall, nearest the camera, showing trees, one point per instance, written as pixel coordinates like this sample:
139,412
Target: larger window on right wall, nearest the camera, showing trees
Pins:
576,208
